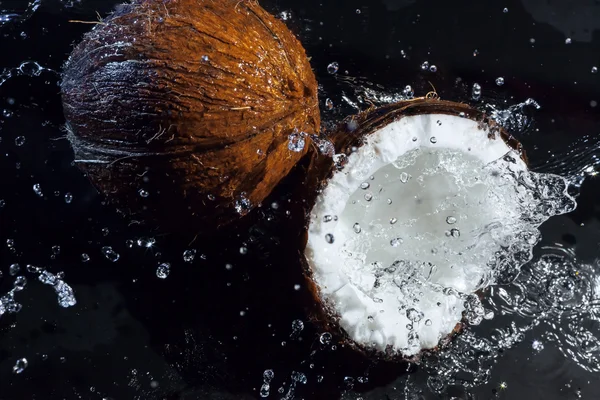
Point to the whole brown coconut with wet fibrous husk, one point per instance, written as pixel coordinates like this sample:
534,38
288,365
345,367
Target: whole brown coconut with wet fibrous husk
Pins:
186,106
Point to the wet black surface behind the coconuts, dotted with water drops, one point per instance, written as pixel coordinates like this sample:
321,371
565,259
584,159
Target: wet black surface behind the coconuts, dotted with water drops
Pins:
208,331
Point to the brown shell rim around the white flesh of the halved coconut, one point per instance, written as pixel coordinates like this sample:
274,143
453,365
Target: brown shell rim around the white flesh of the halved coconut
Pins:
319,169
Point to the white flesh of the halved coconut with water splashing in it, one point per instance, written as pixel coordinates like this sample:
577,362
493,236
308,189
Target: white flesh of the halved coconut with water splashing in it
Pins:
423,215
